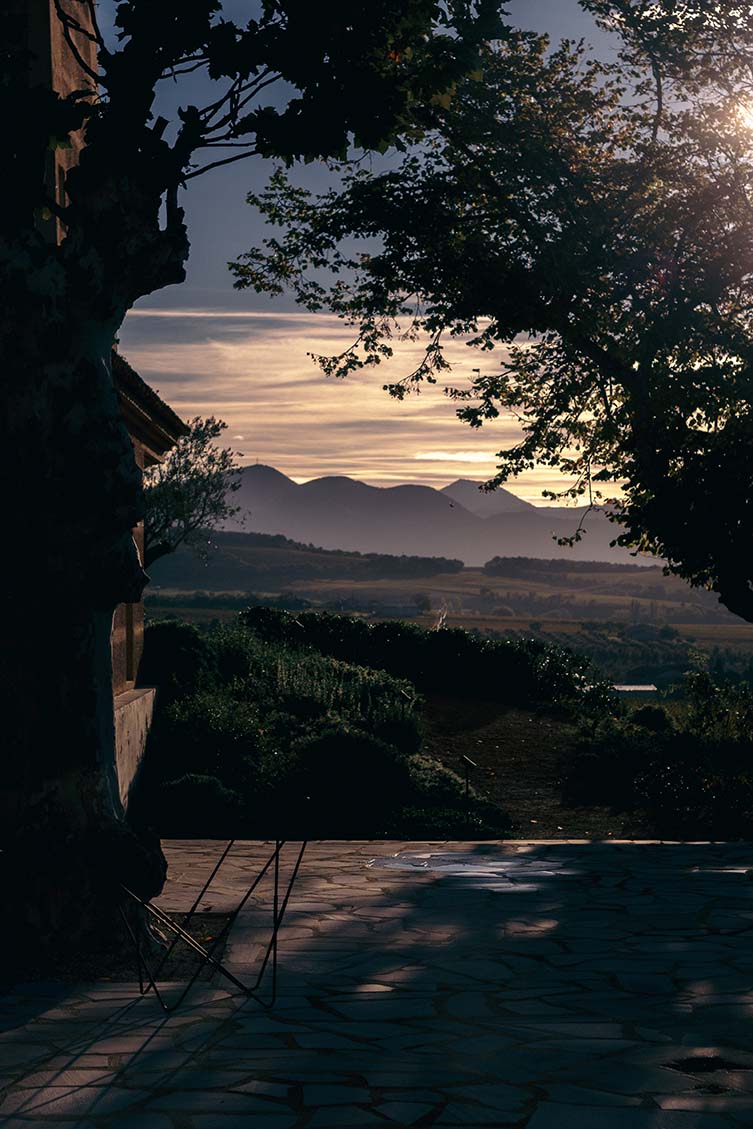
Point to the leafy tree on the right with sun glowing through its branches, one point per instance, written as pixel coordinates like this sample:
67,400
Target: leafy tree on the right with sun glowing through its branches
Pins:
594,222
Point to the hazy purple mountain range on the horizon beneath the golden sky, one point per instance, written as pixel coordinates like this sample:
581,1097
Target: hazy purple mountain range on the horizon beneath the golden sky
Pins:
459,521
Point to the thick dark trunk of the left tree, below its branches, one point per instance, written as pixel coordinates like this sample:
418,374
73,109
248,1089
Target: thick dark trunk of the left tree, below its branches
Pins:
67,848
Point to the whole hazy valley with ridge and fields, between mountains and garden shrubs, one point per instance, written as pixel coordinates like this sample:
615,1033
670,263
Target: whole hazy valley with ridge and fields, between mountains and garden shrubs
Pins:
635,624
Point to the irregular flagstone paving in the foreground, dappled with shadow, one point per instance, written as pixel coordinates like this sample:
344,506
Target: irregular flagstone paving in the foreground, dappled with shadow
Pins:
538,985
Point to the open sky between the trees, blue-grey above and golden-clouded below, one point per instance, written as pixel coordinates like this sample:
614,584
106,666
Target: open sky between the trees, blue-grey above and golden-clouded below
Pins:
211,351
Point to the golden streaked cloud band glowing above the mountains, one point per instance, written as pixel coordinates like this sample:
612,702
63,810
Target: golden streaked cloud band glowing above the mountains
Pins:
252,370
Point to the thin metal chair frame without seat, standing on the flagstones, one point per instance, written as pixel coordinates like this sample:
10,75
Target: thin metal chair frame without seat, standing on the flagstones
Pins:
148,978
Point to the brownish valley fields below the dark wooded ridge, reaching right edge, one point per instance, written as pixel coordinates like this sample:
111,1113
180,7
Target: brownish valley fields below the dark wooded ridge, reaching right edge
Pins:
636,626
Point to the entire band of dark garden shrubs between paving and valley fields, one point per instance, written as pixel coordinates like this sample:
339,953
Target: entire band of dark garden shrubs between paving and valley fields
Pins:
311,725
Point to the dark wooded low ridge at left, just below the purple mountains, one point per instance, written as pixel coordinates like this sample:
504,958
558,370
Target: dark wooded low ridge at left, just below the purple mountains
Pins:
239,562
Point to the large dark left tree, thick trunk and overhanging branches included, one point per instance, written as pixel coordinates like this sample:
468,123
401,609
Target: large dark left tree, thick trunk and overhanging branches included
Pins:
77,249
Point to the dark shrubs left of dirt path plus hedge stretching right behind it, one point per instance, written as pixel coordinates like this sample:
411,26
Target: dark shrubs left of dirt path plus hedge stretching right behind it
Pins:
264,730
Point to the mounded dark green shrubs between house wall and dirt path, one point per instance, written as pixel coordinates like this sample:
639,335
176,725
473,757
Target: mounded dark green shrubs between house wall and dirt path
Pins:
288,742
